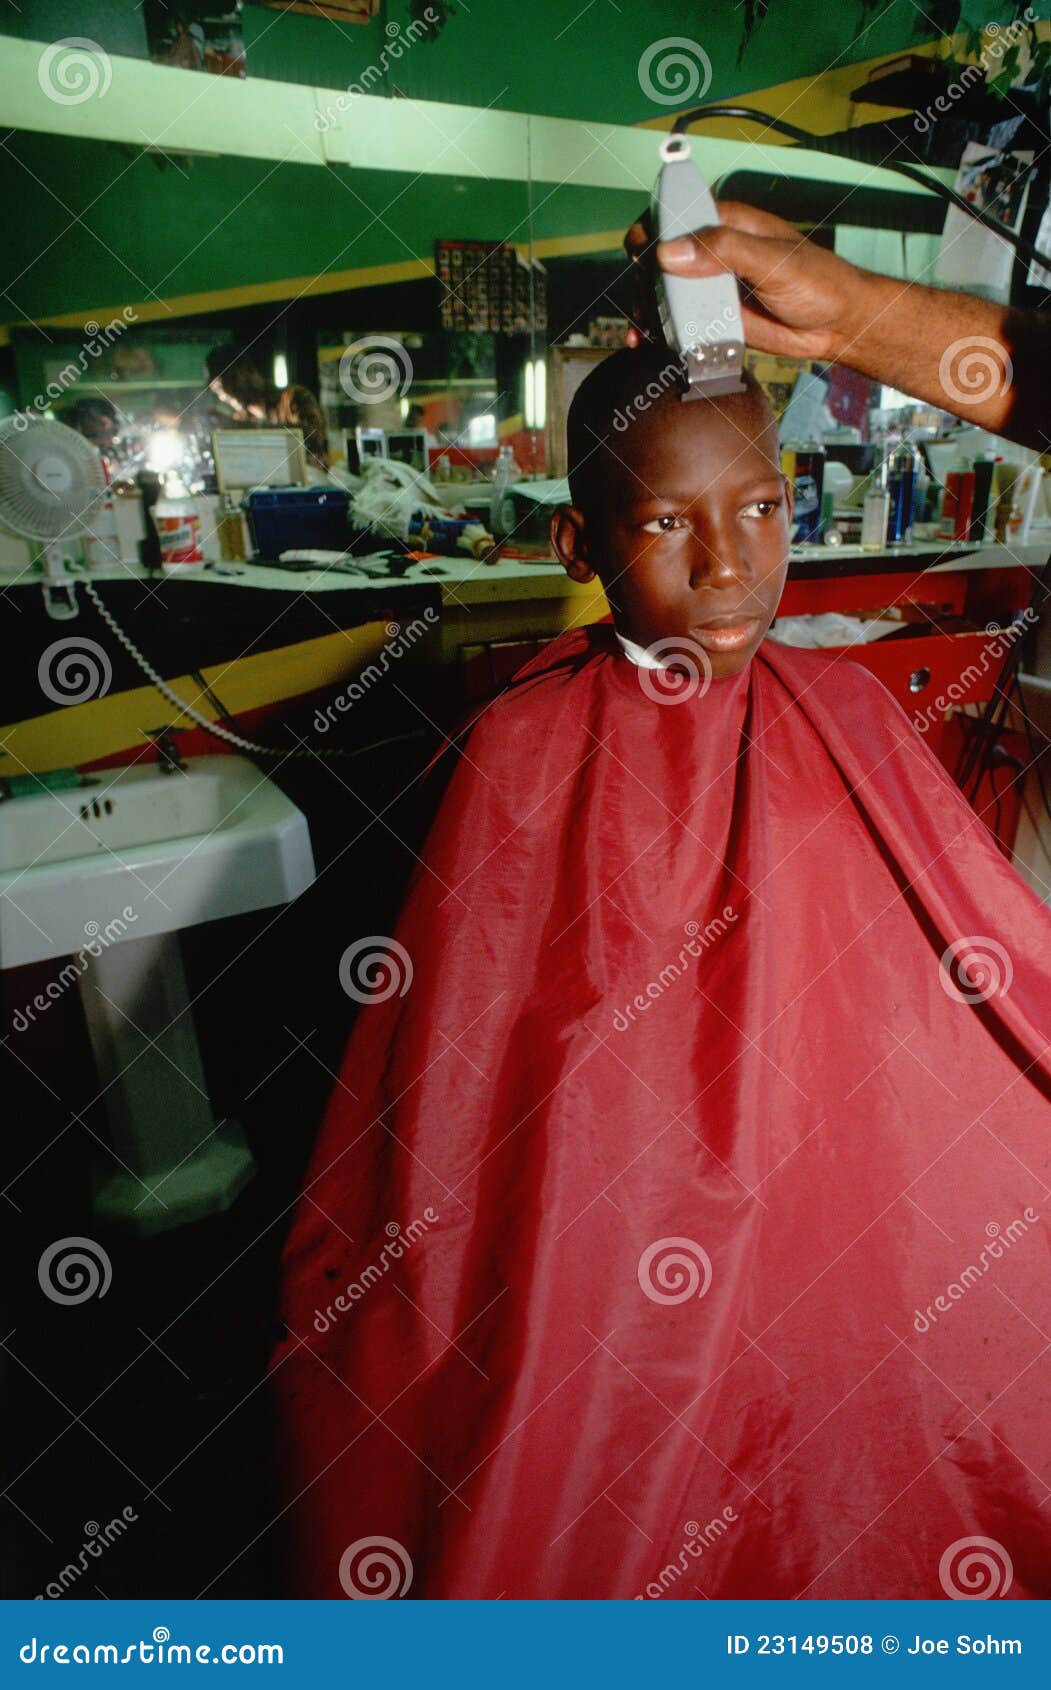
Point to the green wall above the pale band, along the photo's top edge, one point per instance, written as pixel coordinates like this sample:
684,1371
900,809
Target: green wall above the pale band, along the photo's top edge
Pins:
562,58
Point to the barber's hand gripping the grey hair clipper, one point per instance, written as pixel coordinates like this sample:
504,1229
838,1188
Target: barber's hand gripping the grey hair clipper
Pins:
798,300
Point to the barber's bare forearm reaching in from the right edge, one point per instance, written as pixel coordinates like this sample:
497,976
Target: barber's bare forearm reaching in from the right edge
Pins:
959,352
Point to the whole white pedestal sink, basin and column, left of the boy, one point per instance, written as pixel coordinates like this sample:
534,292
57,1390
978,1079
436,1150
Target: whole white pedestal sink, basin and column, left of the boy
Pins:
107,875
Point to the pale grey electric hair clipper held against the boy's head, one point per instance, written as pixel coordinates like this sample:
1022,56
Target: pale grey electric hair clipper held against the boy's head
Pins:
699,315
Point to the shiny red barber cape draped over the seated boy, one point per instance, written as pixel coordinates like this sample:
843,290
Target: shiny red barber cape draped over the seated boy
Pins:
678,1226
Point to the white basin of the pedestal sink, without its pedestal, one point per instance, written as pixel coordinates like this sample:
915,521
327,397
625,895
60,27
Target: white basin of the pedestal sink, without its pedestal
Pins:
214,841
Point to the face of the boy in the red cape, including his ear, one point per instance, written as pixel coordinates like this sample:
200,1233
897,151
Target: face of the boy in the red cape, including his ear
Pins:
692,540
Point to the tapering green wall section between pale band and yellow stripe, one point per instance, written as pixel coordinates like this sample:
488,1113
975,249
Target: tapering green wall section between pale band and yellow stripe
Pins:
102,226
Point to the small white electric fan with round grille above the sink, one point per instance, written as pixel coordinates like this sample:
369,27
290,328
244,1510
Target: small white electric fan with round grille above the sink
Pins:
52,481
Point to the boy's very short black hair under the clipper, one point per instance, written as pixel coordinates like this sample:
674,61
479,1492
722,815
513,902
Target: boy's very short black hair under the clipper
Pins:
609,401
